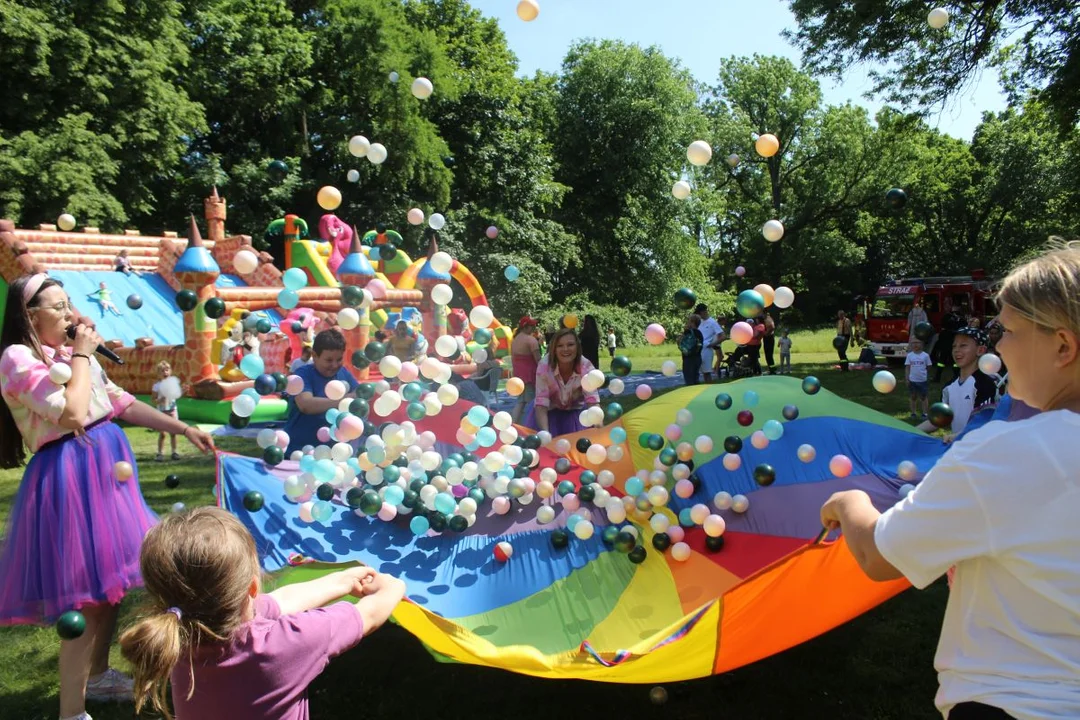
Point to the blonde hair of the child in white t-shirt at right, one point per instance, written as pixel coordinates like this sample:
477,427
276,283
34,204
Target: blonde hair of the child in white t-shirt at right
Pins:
1047,290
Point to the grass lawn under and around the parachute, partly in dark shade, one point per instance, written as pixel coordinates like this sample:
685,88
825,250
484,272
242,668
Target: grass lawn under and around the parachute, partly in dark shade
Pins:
879,667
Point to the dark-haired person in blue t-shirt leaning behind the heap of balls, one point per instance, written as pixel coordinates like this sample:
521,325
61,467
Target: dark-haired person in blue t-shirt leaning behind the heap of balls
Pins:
307,411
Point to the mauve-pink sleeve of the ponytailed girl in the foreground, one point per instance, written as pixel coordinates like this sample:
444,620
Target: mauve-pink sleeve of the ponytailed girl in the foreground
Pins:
303,644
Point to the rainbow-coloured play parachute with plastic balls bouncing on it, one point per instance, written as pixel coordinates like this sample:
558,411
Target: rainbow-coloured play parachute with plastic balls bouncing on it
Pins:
586,610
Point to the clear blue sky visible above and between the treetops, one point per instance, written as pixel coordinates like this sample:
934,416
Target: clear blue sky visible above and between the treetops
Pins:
701,33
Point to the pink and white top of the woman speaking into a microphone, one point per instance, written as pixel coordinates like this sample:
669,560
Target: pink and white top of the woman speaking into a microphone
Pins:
37,403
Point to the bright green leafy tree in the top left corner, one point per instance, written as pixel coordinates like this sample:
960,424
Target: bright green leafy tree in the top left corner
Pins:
96,114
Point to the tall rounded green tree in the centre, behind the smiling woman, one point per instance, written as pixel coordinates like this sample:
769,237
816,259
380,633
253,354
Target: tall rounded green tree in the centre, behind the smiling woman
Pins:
626,118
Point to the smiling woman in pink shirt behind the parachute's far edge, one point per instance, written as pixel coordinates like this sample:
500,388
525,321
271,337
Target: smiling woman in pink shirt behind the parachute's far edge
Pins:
560,396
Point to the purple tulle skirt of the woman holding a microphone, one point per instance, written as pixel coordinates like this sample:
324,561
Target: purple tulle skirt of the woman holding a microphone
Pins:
75,532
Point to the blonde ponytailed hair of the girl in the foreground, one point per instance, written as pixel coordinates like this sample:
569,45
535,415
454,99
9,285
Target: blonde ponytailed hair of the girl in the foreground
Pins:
198,567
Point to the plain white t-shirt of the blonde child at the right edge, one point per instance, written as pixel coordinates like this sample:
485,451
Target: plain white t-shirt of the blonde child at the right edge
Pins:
1002,507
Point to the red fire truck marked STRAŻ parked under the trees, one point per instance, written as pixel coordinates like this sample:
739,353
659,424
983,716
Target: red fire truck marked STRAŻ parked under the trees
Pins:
885,316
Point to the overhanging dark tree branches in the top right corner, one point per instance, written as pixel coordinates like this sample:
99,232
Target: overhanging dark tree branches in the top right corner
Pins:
1035,45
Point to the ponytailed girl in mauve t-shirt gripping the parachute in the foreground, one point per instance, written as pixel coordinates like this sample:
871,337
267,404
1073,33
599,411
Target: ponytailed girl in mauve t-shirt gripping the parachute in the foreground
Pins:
229,650
